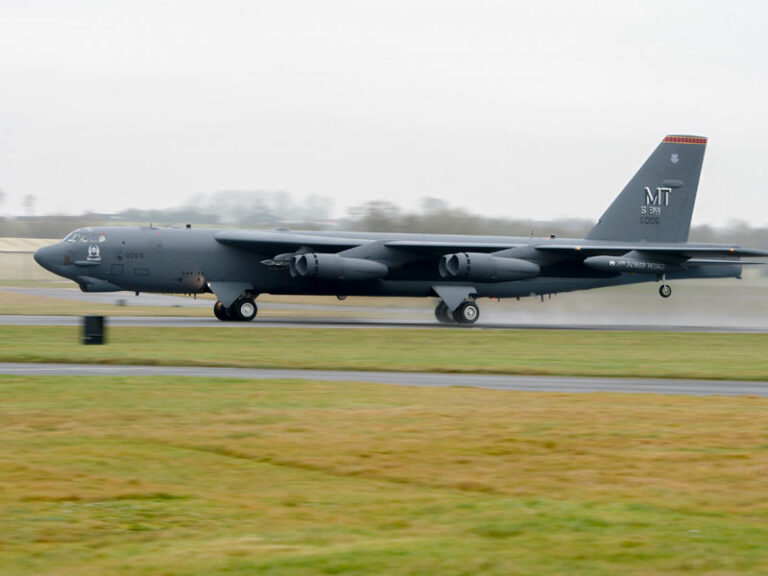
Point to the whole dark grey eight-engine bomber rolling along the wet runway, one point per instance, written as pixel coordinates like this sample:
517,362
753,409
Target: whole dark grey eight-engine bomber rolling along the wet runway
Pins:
641,237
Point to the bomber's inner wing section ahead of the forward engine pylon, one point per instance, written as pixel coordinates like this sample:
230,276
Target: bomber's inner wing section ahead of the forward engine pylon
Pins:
269,242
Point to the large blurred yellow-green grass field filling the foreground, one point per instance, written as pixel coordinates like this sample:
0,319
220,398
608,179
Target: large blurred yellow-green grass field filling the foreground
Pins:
191,476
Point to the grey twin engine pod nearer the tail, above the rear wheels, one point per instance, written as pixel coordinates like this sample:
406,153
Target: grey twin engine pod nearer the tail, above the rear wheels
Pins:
481,267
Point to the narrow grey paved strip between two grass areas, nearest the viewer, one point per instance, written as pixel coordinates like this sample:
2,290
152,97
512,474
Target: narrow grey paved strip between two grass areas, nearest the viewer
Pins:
493,382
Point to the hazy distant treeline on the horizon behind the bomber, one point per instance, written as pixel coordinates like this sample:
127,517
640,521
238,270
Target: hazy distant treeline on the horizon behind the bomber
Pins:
277,210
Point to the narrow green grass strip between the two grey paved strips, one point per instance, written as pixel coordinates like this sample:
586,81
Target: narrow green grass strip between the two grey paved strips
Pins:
631,354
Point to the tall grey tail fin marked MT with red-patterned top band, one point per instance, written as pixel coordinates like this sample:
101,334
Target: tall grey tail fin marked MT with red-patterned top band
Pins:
657,204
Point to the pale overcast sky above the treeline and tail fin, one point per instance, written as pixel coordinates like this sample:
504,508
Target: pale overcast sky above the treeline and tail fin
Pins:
522,109
